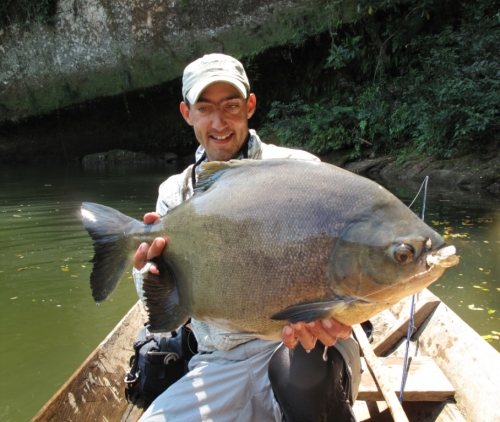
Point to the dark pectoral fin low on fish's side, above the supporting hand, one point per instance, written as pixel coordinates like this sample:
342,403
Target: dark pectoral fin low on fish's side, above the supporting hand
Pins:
308,312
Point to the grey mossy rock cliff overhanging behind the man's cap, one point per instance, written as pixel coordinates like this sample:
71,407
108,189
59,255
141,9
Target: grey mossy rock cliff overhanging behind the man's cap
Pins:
101,48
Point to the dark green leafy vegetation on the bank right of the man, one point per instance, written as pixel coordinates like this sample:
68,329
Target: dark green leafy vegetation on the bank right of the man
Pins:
412,77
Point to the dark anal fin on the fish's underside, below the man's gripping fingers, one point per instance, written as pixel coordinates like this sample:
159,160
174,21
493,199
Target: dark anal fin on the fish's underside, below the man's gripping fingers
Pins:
162,300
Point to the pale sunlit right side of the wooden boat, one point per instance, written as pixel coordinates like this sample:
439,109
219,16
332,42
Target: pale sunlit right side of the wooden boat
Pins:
468,361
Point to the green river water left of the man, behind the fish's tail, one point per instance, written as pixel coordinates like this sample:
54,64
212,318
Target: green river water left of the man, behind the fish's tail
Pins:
48,321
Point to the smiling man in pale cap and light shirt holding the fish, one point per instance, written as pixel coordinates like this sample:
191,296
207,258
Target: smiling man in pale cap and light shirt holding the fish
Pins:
228,379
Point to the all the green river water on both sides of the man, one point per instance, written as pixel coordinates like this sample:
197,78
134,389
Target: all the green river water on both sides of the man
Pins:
49,323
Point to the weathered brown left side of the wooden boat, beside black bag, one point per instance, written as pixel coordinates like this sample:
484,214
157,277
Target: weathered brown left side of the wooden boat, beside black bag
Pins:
95,392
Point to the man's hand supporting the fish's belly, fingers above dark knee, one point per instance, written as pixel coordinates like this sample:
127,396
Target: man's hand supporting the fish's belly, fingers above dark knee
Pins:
326,331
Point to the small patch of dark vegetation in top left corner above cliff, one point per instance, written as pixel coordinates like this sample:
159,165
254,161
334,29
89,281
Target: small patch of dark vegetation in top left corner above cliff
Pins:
26,11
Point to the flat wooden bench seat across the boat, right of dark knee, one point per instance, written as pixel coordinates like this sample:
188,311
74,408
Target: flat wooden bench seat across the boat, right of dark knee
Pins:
425,381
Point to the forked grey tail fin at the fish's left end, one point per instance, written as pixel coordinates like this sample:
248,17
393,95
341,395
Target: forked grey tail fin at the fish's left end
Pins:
108,228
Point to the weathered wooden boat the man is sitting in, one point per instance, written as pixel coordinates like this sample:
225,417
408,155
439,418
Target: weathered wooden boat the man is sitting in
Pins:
454,374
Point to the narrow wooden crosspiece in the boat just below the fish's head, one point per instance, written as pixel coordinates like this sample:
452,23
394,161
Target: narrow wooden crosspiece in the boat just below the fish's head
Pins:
423,308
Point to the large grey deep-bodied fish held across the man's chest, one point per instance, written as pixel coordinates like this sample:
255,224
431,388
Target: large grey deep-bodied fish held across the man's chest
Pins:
266,242
